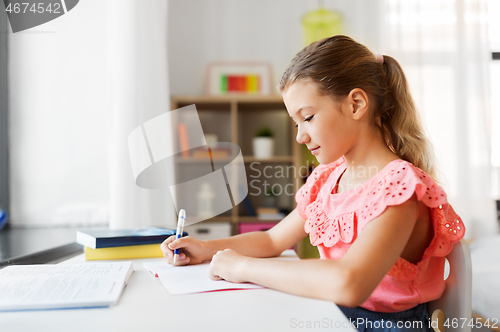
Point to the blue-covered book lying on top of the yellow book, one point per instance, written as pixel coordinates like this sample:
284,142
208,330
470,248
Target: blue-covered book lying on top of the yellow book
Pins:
106,238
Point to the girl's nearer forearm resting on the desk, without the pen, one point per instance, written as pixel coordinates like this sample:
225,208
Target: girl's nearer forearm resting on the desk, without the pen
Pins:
314,278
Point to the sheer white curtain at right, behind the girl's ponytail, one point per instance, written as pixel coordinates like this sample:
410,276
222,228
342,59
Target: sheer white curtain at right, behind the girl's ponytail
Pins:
443,48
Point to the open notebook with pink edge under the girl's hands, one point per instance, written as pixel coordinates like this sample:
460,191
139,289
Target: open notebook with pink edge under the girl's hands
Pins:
194,278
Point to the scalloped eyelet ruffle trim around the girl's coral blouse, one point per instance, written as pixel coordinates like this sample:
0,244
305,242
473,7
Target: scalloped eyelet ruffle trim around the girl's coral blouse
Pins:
392,186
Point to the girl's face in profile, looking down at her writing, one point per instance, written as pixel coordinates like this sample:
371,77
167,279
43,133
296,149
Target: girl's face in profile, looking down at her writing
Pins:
325,126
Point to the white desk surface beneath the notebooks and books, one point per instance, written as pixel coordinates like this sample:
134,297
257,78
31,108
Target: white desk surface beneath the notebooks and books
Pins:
146,306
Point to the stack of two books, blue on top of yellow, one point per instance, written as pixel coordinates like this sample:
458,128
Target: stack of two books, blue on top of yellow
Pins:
123,244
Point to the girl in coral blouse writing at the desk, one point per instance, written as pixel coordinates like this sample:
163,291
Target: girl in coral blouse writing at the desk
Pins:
381,223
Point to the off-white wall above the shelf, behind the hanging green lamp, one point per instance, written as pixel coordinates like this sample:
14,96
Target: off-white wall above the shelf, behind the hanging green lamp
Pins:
201,31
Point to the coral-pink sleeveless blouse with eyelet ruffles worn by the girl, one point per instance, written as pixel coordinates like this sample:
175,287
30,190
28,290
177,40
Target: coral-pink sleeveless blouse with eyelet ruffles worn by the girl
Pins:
333,222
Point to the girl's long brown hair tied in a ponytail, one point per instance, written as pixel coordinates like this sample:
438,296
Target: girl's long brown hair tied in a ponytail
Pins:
339,64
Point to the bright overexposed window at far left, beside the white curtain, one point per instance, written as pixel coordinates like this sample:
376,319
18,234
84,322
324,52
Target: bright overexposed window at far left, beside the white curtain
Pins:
59,120
